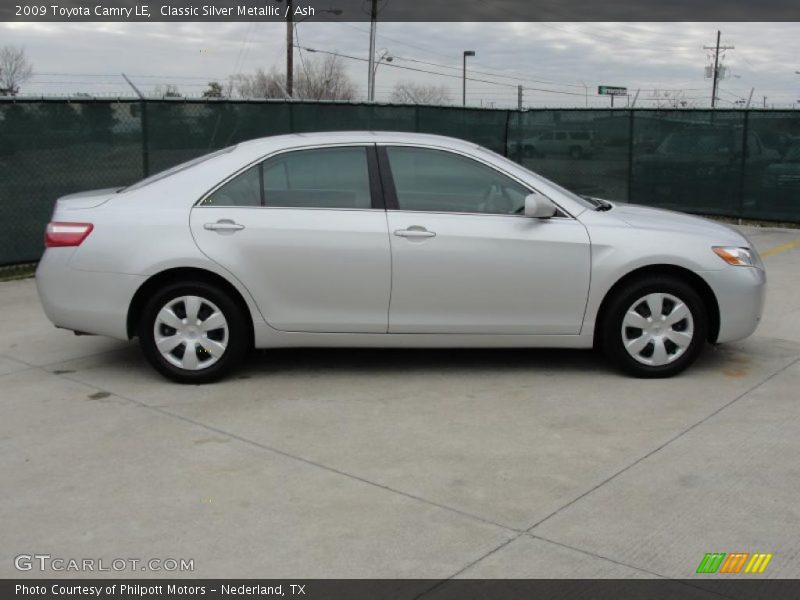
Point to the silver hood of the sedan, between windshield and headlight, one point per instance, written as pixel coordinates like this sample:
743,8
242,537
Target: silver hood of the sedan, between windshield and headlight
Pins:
643,217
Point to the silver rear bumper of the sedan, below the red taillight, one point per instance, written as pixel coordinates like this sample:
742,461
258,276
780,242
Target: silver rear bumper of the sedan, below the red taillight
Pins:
87,301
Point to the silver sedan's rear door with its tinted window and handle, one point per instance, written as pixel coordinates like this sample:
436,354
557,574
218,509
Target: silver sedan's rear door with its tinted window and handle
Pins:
305,231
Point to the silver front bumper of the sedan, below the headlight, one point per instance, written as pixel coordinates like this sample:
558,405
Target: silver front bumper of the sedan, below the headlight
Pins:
740,293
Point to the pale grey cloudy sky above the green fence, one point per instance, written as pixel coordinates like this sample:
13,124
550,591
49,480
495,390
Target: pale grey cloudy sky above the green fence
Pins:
555,62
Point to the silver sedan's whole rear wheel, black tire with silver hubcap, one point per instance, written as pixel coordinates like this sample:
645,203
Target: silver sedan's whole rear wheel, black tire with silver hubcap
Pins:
193,332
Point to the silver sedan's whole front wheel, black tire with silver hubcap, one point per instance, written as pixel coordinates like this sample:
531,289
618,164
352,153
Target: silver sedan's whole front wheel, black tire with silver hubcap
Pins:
655,327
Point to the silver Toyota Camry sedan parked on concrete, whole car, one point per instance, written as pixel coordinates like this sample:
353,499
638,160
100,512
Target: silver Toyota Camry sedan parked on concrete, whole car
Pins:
367,239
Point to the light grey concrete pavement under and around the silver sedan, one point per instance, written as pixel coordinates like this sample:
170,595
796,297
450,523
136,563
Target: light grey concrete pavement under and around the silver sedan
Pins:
342,463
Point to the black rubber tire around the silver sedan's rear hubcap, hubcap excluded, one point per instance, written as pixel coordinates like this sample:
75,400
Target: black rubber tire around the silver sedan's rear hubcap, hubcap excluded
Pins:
238,327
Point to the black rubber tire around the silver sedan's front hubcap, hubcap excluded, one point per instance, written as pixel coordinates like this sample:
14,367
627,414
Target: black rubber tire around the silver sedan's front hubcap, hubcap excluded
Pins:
613,344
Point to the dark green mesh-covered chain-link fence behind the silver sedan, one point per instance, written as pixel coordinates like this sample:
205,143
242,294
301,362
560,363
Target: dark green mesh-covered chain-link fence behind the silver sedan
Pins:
735,163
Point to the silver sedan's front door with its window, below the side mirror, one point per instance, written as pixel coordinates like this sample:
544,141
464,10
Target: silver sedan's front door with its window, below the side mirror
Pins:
465,260
